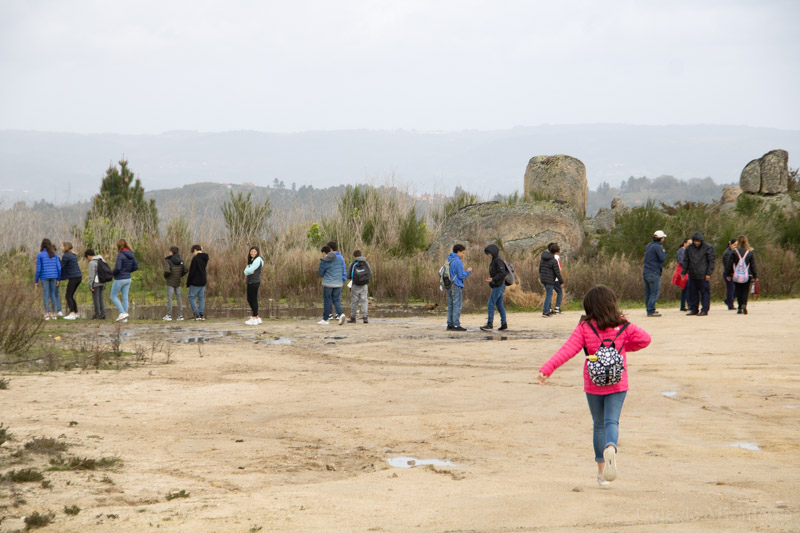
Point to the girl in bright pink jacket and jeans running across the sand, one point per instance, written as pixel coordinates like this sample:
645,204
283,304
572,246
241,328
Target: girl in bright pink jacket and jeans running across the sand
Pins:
605,402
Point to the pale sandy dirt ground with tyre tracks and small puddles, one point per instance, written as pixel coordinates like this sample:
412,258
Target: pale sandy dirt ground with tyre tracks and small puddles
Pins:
296,437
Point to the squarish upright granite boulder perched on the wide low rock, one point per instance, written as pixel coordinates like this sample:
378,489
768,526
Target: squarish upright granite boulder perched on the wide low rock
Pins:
557,177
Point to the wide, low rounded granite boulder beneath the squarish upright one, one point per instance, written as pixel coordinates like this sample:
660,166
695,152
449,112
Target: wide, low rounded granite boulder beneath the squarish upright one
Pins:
524,226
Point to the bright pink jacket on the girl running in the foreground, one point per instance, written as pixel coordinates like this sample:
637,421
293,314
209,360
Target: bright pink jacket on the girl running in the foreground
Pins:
632,339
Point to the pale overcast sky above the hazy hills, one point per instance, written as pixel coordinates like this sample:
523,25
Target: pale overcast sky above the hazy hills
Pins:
152,66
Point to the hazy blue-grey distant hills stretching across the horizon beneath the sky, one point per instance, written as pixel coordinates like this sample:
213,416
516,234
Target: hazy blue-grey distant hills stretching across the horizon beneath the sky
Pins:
67,167
